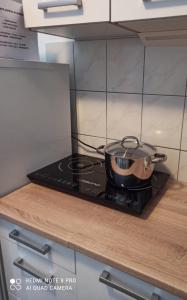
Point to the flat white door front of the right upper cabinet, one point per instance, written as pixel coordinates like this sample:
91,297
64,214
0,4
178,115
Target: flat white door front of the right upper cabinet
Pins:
128,10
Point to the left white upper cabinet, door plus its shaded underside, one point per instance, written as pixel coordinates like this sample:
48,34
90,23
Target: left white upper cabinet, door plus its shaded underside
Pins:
77,19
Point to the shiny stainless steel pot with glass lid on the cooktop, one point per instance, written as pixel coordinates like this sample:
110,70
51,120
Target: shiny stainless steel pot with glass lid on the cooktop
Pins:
130,163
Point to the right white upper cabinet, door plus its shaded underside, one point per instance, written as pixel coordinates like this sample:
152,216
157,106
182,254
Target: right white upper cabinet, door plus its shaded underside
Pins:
150,15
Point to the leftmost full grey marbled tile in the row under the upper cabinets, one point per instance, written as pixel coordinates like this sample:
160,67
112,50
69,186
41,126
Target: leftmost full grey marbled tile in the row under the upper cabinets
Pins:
90,65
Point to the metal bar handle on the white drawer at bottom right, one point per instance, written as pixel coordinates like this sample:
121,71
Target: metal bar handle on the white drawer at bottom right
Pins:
108,279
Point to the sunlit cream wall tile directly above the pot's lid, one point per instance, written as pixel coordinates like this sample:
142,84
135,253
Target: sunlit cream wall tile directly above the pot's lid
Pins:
123,115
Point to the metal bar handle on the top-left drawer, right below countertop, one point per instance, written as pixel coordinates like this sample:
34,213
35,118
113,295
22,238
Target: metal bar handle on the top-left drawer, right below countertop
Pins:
15,235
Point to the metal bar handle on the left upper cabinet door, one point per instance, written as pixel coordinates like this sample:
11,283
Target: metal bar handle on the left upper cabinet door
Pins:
58,3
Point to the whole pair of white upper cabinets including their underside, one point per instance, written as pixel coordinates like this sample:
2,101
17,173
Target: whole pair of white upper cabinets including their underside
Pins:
92,19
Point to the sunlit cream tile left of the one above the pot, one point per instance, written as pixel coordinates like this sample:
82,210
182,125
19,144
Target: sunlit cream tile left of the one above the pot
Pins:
91,113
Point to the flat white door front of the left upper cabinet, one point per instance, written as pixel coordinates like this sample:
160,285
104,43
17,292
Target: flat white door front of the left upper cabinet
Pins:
61,12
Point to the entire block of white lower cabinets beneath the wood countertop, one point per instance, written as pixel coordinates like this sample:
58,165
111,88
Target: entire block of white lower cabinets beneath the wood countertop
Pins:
72,277
